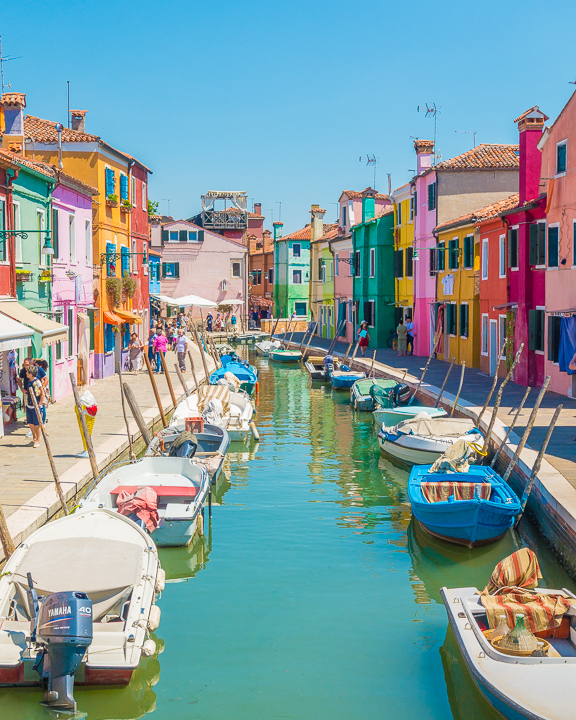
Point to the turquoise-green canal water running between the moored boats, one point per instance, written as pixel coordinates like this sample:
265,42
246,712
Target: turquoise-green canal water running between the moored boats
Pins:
315,596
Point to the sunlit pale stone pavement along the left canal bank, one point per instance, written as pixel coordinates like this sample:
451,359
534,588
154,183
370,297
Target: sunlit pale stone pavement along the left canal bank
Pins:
25,472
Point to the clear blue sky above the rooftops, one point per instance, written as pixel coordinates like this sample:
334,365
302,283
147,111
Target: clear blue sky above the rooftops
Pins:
282,98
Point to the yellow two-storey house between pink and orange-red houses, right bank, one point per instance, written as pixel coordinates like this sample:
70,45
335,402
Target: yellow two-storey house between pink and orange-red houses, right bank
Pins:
457,291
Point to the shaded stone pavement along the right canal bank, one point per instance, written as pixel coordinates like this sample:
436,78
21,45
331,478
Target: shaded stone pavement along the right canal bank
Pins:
561,453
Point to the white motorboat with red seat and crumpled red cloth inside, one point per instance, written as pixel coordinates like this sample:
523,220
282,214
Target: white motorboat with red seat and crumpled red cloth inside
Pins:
171,509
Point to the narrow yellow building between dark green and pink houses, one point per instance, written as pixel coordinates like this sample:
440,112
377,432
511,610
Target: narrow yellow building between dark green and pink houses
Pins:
403,250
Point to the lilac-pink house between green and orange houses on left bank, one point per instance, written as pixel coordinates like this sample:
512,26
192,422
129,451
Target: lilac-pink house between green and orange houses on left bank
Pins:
72,282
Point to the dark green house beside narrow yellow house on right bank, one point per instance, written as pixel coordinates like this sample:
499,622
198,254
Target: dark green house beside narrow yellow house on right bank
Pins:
374,281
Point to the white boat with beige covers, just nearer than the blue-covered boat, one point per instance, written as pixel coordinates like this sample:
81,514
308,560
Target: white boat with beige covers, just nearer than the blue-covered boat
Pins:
218,405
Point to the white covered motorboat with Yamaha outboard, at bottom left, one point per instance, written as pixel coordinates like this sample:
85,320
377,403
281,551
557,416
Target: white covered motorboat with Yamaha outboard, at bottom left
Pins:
95,576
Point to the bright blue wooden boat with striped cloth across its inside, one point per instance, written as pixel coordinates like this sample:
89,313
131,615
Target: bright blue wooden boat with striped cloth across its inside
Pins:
487,509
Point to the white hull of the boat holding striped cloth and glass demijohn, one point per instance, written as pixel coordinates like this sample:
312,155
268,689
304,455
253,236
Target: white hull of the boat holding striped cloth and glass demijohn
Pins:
519,687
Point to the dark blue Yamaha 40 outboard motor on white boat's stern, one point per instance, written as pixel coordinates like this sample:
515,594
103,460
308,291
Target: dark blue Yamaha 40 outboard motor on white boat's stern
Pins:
62,630
